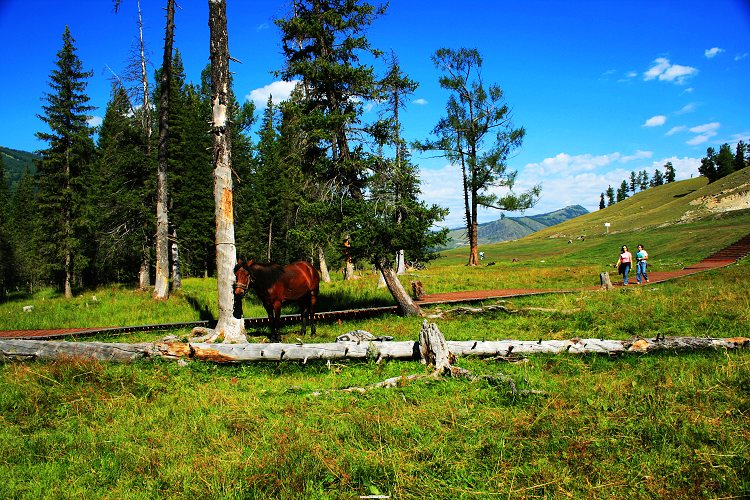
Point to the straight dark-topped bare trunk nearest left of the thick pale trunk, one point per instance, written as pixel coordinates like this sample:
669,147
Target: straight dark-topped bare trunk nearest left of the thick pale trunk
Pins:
161,289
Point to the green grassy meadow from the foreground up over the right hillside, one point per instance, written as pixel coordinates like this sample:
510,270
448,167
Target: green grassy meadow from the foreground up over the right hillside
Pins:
671,425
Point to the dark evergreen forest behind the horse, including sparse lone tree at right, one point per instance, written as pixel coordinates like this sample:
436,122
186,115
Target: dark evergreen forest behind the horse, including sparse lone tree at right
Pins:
315,182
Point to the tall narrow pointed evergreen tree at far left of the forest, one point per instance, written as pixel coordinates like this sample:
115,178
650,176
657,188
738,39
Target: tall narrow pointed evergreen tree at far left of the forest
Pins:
63,168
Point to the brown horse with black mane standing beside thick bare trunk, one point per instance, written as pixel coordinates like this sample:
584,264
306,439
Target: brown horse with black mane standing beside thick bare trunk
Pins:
274,285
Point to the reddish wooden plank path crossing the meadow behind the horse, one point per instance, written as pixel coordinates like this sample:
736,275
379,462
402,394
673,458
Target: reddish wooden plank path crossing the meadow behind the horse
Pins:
722,258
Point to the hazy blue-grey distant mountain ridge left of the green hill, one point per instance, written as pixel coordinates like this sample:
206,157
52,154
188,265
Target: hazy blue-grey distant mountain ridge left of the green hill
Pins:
512,228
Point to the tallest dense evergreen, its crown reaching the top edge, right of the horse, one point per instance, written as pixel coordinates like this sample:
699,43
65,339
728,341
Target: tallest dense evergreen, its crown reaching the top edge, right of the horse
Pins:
324,43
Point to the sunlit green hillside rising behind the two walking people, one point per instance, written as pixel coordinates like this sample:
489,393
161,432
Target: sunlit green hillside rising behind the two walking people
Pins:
679,223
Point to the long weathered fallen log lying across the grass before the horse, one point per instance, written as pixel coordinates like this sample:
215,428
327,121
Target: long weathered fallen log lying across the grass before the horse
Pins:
29,350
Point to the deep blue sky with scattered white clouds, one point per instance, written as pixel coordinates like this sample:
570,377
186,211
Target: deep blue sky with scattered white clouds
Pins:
602,87
